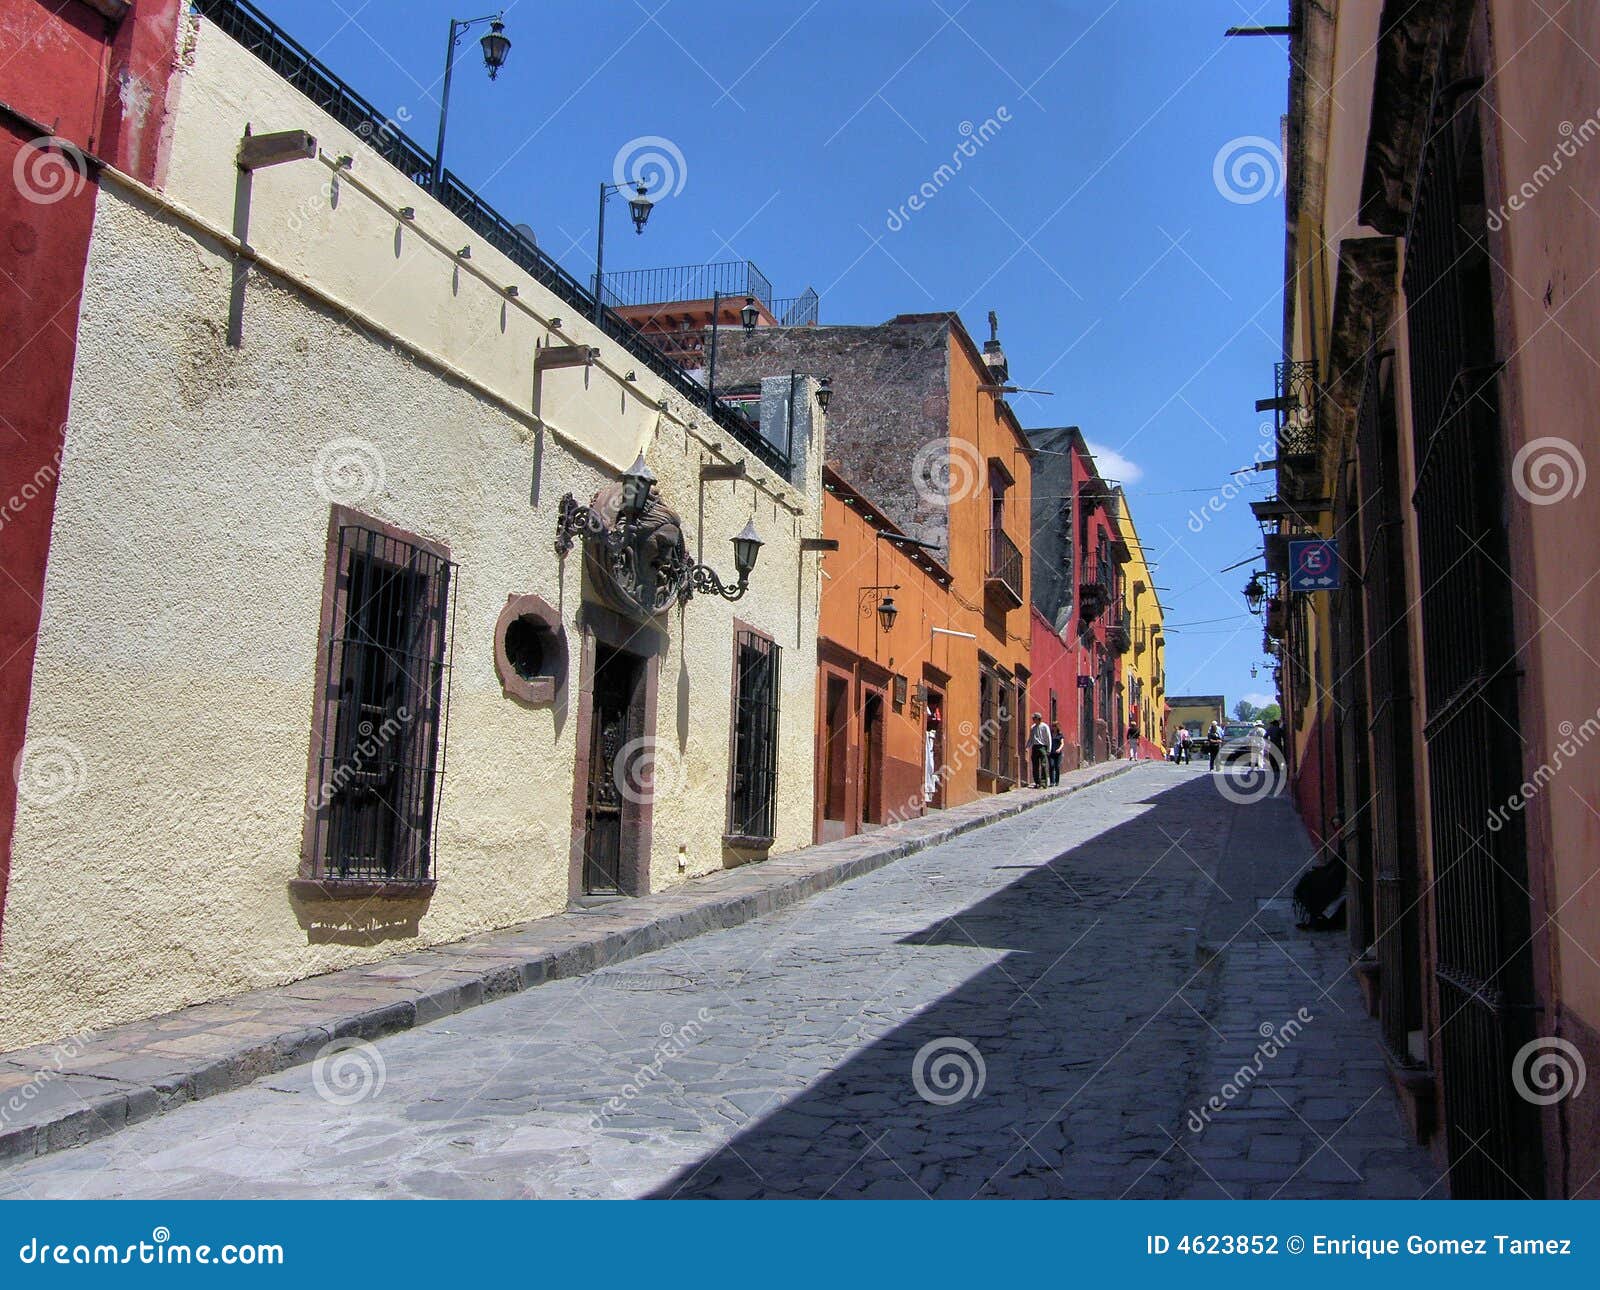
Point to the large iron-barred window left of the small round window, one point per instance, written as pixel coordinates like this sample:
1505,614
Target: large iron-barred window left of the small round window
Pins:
382,708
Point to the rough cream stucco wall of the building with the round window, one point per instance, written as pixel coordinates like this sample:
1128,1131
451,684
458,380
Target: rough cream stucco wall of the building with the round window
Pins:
178,643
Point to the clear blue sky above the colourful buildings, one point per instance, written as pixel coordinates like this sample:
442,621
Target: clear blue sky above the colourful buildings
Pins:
1134,278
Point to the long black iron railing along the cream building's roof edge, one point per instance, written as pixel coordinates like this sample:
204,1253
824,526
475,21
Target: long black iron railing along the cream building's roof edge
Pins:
292,62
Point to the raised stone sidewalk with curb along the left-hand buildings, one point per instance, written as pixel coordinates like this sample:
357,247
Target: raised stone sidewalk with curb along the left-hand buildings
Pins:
62,1096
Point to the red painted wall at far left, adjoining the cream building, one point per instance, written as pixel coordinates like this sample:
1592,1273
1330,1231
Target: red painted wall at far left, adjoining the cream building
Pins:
73,89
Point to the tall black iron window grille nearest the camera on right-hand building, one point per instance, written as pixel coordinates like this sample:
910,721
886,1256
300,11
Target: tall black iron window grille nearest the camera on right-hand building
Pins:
1474,758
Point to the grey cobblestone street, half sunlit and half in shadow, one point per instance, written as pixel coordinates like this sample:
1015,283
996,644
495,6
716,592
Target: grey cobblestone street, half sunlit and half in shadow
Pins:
1036,1009
